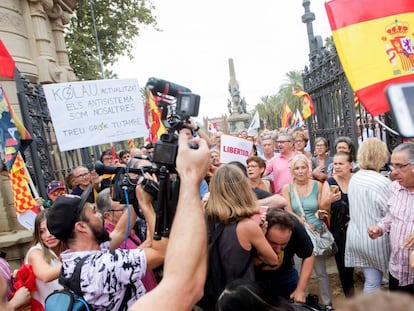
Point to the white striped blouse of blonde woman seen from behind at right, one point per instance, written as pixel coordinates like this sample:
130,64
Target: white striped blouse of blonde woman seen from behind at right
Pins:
368,197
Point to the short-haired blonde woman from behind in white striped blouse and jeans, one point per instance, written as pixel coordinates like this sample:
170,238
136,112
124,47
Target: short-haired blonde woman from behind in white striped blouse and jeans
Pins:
368,197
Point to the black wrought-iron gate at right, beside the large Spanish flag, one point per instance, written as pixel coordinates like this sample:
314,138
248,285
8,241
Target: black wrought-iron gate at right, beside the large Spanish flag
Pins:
337,111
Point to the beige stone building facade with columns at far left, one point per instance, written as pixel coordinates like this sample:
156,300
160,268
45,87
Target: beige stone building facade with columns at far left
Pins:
33,33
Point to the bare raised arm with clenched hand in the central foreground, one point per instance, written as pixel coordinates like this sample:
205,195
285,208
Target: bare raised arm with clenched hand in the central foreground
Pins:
185,261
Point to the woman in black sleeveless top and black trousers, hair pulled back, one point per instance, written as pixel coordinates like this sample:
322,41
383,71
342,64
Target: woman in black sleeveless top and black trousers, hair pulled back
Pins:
339,220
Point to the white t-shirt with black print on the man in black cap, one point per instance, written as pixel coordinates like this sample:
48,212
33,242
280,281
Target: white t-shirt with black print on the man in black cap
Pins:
106,274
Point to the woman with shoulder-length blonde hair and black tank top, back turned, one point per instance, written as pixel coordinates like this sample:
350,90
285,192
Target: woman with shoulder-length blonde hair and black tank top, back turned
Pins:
230,206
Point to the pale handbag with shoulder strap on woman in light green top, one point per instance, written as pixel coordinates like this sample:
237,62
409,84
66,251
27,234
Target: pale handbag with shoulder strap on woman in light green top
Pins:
322,239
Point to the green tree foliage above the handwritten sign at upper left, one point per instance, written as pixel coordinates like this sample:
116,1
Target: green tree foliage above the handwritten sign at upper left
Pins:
117,22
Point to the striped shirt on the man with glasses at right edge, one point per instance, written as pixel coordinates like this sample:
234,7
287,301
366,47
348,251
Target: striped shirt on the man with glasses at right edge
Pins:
399,222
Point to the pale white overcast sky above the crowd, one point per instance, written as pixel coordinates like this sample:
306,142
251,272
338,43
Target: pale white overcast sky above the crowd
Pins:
265,38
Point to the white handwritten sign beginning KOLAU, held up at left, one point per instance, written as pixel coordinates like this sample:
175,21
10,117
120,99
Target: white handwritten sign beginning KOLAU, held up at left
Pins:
95,112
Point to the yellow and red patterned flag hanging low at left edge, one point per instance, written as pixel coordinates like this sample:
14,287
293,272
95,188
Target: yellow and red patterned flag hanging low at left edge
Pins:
23,199
